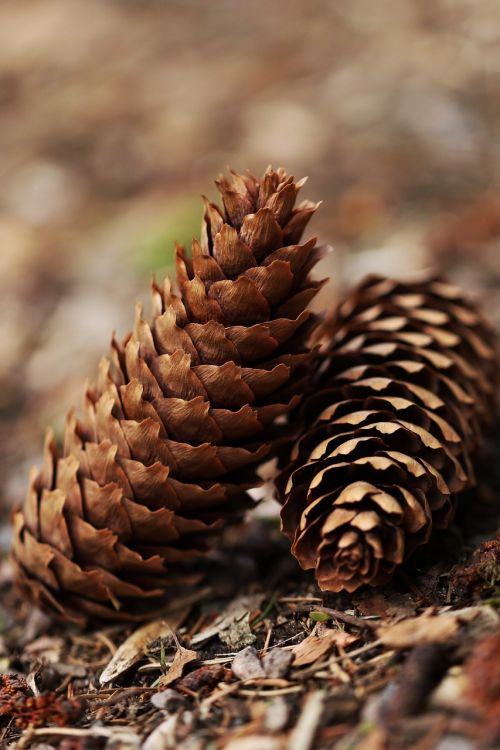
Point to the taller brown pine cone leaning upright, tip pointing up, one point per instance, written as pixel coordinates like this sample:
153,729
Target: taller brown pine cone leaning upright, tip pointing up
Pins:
178,420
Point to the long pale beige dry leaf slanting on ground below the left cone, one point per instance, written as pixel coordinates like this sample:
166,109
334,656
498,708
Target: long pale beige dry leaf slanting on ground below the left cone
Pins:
135,646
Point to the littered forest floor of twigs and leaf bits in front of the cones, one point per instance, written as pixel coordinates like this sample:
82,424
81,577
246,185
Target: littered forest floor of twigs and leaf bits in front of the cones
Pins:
261,660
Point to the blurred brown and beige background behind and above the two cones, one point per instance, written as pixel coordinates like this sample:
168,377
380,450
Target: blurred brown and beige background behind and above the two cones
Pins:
115,115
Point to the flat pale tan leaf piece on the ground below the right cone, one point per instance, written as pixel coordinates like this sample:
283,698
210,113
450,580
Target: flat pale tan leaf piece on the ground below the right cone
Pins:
417,631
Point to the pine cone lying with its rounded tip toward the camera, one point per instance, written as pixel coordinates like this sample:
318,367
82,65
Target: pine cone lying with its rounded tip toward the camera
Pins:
399,407
